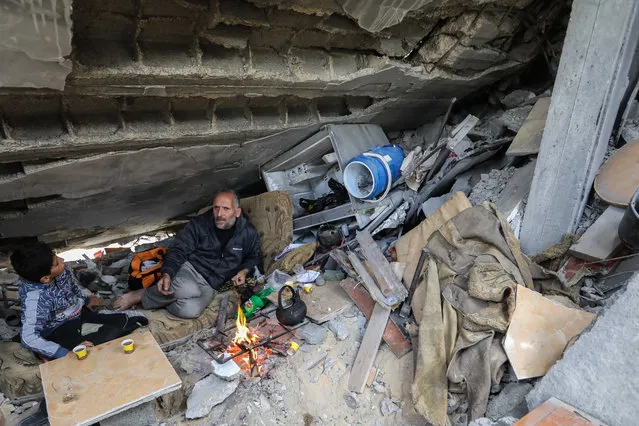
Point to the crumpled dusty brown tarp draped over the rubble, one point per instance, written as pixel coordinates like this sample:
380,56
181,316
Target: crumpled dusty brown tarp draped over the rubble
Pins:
479,264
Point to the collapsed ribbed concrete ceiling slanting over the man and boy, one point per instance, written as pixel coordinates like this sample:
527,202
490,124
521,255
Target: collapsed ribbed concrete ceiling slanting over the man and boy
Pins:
169,100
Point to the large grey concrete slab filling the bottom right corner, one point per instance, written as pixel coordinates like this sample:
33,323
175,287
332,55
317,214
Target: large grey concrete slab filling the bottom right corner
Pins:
598,373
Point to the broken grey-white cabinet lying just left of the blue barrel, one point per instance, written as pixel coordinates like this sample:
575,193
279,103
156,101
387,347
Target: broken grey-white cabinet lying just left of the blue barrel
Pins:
301,171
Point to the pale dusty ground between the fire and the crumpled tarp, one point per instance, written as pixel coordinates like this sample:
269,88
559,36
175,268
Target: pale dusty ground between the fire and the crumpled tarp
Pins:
292,393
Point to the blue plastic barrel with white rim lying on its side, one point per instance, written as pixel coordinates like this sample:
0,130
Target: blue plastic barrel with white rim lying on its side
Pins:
373,173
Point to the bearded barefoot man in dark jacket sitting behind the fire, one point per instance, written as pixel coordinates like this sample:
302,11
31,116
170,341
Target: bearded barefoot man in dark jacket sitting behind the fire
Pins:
211,249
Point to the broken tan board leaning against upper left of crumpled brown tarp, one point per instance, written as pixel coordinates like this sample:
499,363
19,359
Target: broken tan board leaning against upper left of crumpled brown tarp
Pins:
410,245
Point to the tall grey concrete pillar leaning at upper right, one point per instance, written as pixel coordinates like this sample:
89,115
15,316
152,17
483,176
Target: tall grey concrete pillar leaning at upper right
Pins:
597,56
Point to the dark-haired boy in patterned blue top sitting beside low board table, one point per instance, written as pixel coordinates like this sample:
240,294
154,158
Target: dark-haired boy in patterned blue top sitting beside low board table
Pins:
54,309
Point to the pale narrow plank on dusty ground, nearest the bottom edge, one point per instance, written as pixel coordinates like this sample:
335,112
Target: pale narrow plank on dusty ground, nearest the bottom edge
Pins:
368,349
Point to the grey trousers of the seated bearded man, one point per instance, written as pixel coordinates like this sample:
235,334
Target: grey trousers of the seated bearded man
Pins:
191,294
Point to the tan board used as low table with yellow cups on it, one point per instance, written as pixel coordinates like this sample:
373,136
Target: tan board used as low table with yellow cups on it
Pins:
108,381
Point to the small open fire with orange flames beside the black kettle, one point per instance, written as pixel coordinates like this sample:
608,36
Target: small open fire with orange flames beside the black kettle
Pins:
245,338
